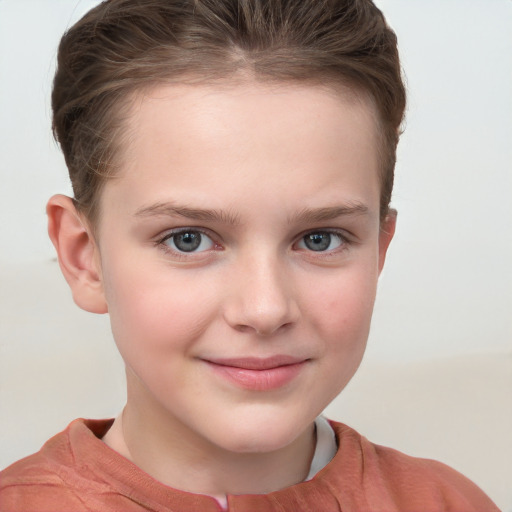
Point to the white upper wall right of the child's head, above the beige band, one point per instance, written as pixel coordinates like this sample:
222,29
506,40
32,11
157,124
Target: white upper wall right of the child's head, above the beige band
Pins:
448,285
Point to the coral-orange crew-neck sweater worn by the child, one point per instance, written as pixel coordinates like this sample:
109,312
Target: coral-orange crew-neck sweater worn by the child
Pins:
75,471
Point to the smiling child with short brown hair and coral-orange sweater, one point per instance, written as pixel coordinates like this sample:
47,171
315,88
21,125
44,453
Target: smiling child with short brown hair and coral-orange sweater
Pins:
232,165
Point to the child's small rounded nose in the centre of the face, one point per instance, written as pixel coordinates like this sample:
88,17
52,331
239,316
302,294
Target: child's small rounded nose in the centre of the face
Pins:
262,298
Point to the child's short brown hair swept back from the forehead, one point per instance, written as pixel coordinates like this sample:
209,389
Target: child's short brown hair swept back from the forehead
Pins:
121,46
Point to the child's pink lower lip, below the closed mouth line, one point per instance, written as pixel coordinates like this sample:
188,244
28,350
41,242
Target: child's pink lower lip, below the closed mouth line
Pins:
259,380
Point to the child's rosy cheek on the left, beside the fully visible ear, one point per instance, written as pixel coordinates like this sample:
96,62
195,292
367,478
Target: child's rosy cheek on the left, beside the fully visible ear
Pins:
156,307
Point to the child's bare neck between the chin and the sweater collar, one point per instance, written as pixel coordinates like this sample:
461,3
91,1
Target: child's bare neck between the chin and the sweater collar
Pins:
162,446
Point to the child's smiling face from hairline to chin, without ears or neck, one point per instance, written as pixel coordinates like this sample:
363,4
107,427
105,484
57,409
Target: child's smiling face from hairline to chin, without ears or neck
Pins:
239,250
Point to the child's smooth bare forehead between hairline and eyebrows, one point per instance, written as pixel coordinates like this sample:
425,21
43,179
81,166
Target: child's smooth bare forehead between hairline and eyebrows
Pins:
227,138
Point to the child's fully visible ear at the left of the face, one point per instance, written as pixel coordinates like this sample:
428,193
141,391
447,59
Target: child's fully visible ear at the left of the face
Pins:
77,252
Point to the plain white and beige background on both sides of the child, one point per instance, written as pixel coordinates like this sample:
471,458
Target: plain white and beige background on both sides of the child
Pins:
437,380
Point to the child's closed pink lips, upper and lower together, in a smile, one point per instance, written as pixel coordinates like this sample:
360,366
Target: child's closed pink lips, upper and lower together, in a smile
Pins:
258,374
